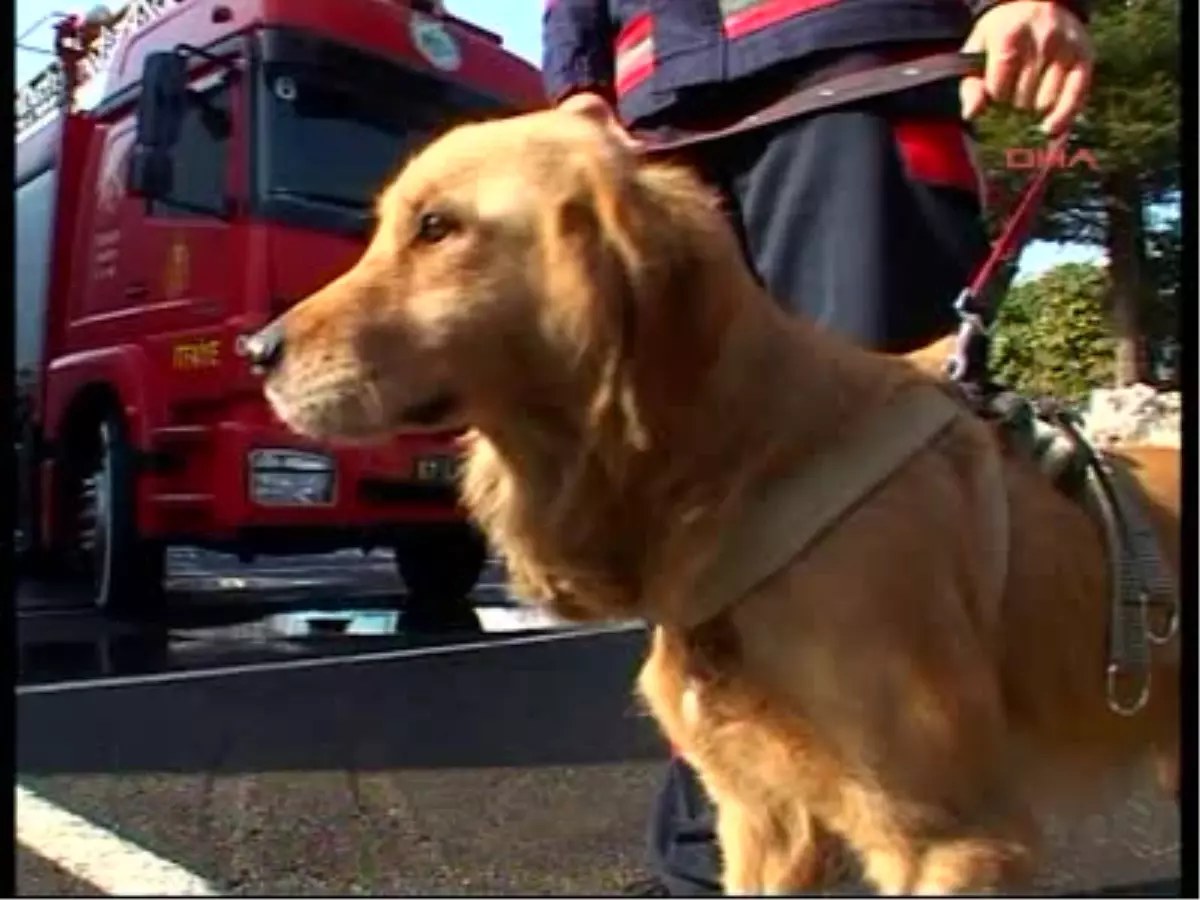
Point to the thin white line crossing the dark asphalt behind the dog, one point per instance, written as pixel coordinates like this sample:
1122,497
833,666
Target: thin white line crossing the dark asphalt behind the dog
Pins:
323,662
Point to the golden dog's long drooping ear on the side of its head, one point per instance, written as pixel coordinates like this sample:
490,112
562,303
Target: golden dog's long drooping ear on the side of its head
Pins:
599,279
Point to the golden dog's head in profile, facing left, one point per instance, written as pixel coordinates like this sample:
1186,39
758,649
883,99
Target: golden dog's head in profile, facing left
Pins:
519,269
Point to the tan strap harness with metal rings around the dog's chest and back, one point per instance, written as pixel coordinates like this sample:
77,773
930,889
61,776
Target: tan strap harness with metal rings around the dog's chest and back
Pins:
790,517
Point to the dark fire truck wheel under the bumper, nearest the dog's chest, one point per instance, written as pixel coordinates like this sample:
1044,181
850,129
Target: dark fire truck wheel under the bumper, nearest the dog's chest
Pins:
441,565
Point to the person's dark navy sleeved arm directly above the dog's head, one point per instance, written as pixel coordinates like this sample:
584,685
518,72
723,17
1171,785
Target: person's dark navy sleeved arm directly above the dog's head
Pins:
578,49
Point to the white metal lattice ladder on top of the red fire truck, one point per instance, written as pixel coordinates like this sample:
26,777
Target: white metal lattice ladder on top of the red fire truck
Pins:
83,47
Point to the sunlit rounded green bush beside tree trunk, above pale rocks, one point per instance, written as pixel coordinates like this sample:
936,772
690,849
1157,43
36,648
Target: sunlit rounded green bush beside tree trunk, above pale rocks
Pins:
1053,334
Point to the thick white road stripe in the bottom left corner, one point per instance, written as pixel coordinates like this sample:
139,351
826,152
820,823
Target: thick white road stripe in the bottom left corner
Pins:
106,861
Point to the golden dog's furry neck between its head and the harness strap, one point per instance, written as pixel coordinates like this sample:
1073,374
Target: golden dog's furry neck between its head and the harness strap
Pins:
590,525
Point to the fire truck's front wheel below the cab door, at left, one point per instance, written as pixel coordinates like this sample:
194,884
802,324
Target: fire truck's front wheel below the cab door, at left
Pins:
125,572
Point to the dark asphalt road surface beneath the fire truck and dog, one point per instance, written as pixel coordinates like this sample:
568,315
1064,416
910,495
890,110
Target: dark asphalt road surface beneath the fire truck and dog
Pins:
266,755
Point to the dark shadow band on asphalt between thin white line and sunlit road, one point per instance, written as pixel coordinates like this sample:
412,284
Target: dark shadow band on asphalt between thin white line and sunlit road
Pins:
557,703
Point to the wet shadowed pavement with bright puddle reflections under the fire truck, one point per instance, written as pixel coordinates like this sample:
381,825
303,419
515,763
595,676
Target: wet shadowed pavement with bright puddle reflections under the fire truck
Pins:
231,616
